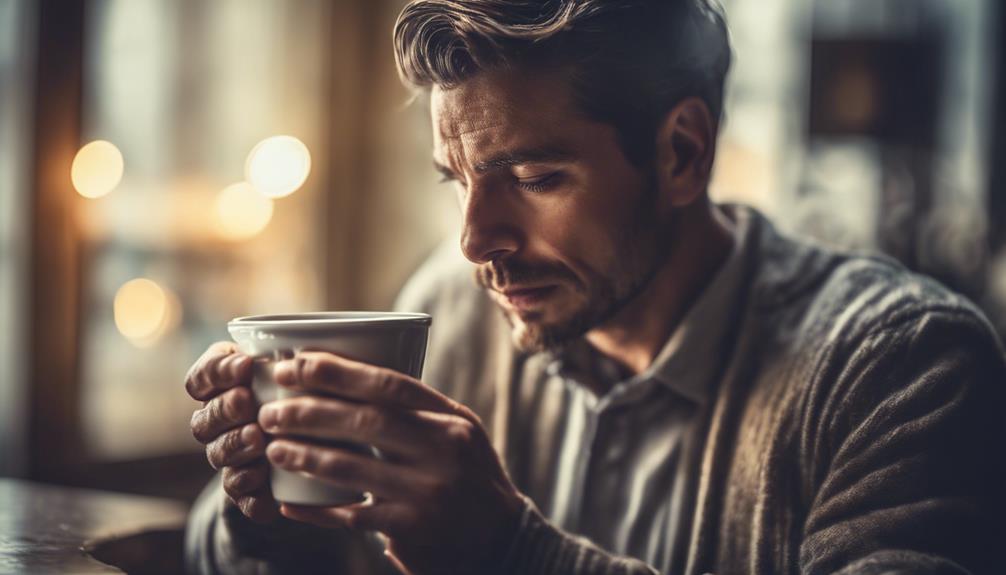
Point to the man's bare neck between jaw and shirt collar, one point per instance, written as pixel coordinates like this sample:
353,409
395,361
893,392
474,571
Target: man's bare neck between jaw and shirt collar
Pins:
701,244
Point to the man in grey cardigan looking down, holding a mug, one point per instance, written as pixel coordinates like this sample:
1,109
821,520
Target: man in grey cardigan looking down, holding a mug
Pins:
684,390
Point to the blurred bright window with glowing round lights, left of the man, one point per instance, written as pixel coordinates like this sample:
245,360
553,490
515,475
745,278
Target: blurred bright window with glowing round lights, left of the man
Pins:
186,91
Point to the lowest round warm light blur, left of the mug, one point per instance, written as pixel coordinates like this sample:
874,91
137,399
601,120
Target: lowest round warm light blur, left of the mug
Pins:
144,311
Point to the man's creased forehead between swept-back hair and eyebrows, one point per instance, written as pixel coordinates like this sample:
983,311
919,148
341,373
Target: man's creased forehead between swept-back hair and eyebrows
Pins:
497,110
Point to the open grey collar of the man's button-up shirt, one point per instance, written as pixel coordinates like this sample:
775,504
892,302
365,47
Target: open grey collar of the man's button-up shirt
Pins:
690,361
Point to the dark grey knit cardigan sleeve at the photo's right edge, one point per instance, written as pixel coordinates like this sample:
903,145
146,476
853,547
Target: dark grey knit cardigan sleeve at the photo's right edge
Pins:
916,440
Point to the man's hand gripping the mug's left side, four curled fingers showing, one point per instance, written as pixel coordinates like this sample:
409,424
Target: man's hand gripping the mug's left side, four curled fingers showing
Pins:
227,425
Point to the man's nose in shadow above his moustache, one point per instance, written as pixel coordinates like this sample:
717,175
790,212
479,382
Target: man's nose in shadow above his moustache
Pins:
490,227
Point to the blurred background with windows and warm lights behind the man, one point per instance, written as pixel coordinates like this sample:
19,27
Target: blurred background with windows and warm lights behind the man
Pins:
169,165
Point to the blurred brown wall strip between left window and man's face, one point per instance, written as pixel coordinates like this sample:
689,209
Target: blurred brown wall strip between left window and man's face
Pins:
401,211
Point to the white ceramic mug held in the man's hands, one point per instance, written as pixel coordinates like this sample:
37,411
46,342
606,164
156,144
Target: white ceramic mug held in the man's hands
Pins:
385,339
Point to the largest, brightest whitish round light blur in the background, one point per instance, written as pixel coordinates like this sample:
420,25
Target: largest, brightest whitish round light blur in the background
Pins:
278,166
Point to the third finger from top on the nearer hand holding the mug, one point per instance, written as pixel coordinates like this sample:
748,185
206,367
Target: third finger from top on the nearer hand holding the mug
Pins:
346,469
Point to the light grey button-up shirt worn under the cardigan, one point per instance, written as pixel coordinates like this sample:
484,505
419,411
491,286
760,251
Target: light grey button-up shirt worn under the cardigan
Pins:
619,472
